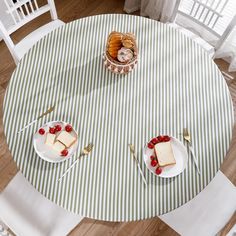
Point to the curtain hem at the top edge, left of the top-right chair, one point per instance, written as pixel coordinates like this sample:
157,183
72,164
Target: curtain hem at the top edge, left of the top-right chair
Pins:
156,9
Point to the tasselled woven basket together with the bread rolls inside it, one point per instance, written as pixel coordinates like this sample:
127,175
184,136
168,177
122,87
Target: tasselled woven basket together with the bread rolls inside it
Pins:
121,53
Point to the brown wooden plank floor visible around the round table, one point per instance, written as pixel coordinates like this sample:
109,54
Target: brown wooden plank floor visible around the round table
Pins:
70,10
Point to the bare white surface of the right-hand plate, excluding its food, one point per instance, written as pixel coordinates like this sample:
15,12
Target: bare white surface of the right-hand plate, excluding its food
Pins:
181,158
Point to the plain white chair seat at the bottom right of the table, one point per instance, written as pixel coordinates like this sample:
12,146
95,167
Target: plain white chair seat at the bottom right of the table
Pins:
208,212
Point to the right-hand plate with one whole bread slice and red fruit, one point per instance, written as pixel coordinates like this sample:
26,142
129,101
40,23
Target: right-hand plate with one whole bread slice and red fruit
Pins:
165,156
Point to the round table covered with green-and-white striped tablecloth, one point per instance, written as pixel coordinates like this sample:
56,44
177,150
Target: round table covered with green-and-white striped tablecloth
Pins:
174,85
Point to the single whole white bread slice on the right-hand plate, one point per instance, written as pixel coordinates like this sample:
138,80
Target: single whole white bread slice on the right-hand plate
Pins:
164,153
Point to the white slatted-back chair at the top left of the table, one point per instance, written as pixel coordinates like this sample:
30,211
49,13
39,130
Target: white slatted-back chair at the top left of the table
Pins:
22,12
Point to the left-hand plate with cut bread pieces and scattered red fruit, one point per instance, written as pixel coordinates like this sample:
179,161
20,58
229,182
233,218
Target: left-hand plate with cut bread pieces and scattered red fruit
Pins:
55,141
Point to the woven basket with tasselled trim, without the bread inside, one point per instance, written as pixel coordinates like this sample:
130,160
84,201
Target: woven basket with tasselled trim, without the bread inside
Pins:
116,66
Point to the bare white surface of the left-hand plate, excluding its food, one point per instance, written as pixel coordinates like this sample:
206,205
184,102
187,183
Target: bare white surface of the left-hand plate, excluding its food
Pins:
45,151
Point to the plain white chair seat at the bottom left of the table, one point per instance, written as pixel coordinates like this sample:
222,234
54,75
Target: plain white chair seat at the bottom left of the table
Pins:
28,213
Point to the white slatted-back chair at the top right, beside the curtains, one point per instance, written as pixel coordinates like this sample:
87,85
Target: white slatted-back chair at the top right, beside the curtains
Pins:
202,20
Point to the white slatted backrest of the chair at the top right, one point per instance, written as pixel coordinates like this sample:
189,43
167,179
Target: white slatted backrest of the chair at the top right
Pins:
207,13
